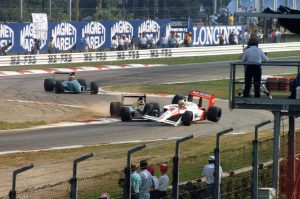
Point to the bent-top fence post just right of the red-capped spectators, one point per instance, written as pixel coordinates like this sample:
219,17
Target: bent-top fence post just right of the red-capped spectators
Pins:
175,172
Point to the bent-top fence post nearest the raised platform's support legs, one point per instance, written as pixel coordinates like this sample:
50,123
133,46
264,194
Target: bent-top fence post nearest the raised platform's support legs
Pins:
255,159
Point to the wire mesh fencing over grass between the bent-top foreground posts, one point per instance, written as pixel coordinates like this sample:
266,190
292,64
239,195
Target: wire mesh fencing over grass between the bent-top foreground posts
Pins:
103,172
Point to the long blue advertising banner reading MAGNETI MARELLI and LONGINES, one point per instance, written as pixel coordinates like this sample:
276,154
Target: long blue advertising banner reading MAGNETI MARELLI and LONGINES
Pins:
68,36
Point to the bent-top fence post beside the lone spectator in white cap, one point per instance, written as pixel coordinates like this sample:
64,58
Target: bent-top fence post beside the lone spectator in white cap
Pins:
217,163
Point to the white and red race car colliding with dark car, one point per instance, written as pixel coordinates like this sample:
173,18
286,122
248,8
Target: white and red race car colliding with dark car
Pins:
184,111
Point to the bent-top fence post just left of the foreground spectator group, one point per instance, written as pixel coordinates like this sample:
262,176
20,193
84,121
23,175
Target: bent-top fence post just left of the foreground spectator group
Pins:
127,183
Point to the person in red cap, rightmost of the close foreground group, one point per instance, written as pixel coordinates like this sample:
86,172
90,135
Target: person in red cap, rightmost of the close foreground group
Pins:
163,181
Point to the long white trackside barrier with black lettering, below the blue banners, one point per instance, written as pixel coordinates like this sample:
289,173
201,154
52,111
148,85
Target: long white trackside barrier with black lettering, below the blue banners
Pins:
63,58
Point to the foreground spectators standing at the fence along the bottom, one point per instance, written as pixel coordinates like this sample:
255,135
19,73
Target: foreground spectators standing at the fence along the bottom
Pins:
147,184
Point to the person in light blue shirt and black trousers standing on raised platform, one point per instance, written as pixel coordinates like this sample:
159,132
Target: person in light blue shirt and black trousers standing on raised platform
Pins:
252,57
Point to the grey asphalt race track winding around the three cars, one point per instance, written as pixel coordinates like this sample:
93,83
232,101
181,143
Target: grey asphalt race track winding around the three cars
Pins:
30,87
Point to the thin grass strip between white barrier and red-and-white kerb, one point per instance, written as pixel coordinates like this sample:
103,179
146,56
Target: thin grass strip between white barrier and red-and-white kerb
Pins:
167,61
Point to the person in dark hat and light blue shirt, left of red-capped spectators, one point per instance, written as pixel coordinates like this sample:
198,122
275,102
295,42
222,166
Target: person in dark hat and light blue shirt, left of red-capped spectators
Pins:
146,181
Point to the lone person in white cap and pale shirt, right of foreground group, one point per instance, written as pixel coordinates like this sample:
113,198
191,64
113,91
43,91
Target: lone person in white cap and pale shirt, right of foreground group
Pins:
209,174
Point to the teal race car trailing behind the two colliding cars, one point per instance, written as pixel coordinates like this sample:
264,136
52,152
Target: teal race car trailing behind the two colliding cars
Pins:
69,85
